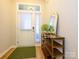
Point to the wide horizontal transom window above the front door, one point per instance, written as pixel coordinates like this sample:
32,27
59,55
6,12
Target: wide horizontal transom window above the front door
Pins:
29,7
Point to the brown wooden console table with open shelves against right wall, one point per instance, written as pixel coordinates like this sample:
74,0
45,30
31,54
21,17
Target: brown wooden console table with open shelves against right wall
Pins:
52,45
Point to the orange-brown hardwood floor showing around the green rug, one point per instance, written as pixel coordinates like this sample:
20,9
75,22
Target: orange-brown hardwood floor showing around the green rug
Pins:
39,54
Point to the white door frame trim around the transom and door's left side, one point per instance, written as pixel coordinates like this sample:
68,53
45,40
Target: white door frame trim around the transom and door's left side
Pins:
17,10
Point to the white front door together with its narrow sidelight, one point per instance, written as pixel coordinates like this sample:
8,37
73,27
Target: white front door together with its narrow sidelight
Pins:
28,27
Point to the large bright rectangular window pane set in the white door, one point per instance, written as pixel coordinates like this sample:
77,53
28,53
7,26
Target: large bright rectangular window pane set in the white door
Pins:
26,21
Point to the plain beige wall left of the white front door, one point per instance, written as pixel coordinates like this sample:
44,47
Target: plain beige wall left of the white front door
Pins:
6,24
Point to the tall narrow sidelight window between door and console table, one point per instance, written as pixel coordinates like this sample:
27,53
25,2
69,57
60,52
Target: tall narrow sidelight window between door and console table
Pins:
37,28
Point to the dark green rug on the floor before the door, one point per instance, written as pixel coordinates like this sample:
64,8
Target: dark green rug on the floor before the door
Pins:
23,52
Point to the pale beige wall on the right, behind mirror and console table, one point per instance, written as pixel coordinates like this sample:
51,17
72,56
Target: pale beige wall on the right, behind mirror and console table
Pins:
67,27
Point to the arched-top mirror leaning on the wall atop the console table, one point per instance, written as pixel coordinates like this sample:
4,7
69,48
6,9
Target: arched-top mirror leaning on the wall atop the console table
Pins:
53,22
